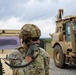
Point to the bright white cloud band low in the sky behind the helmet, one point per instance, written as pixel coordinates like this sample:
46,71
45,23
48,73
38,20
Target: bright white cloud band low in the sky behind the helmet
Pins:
46,26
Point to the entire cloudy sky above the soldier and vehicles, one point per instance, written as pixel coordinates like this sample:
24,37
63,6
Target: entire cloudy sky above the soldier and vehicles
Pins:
15,13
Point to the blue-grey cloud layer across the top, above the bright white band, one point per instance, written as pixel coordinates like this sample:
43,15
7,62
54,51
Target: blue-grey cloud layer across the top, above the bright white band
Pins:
34,9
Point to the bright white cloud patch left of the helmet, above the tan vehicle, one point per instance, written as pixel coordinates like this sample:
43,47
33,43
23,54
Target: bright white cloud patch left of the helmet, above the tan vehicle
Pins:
11,23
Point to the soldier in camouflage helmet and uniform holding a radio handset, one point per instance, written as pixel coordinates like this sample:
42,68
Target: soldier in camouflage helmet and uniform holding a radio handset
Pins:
31,52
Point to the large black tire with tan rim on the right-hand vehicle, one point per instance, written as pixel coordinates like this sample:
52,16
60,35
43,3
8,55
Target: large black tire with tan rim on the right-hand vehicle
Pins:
59,57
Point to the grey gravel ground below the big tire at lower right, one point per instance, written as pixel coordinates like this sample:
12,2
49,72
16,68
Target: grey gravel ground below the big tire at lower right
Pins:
70,70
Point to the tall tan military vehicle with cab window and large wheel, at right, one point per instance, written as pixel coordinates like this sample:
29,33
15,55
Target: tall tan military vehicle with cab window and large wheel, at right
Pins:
64,40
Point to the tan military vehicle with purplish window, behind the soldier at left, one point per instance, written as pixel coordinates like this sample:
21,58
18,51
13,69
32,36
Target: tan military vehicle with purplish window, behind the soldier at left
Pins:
9,40
